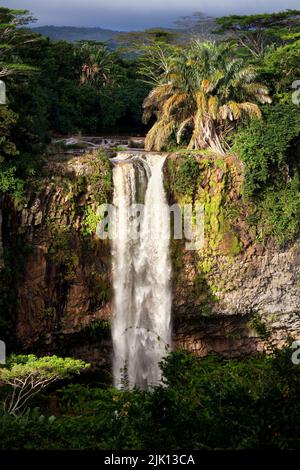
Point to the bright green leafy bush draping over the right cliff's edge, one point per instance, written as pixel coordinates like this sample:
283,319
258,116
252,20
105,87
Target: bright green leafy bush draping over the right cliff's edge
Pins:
270,150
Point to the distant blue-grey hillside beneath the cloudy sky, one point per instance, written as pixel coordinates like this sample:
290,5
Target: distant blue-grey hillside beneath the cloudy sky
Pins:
72,33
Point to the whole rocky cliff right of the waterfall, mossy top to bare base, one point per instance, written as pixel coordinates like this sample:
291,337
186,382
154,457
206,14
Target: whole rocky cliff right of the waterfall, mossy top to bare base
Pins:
238,294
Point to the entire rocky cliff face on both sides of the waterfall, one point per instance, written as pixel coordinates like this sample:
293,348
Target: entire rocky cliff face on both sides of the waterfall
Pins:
231,297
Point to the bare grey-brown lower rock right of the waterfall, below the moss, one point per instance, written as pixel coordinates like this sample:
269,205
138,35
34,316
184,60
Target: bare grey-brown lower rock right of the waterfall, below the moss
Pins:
254,299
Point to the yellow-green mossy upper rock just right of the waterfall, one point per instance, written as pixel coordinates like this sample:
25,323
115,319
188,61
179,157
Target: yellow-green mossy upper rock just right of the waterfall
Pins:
215,183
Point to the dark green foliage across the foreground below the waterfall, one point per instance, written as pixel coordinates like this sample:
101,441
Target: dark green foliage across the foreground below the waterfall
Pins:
209,403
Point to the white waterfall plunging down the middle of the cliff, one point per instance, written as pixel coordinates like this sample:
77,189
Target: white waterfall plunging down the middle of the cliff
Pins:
141,328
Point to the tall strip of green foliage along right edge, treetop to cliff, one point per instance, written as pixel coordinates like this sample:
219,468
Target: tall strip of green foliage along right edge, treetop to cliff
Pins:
270,148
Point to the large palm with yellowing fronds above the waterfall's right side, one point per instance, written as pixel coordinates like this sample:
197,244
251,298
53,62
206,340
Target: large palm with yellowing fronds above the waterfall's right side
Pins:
204,91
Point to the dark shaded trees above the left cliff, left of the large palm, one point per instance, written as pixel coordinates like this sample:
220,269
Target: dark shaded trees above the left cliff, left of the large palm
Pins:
65,104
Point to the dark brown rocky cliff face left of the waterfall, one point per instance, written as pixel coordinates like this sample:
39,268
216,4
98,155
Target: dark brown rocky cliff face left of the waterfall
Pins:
64,291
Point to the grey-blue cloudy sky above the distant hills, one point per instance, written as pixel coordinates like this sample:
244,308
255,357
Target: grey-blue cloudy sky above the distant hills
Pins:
137,14
